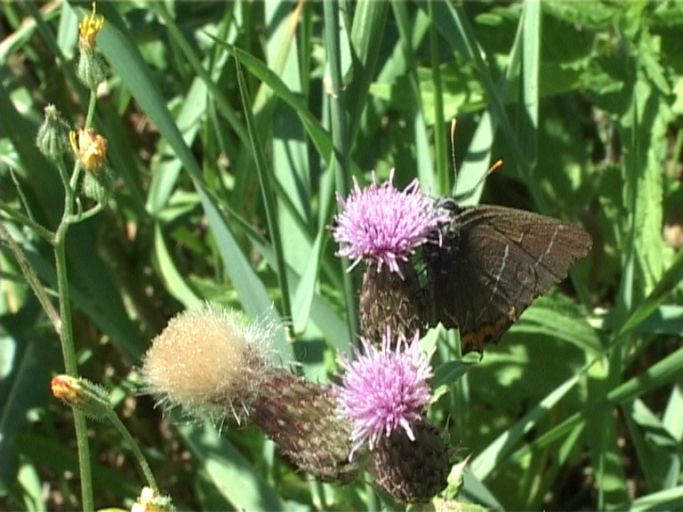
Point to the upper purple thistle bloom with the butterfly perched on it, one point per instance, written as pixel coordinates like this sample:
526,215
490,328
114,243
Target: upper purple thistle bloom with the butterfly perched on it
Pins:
384,224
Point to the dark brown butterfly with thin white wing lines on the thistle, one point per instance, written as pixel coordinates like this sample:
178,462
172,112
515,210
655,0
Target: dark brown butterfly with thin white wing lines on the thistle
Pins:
491,264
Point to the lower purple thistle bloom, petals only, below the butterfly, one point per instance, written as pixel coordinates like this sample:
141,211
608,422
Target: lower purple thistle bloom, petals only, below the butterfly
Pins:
384,389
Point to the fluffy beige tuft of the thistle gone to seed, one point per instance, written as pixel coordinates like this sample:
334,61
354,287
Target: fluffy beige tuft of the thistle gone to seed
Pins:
209,361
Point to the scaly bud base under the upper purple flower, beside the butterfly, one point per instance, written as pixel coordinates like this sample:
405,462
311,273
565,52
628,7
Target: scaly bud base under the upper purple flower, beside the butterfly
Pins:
388,300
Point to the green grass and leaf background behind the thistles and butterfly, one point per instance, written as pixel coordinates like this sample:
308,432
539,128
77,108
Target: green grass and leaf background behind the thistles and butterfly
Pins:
580,406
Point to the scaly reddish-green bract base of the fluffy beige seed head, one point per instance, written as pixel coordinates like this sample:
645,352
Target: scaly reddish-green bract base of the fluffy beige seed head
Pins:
301,417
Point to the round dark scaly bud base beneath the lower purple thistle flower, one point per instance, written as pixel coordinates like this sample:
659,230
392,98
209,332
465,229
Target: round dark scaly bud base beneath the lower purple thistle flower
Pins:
412,471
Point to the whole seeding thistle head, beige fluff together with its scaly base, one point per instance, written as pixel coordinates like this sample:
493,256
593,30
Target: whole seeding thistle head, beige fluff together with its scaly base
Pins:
213,363
